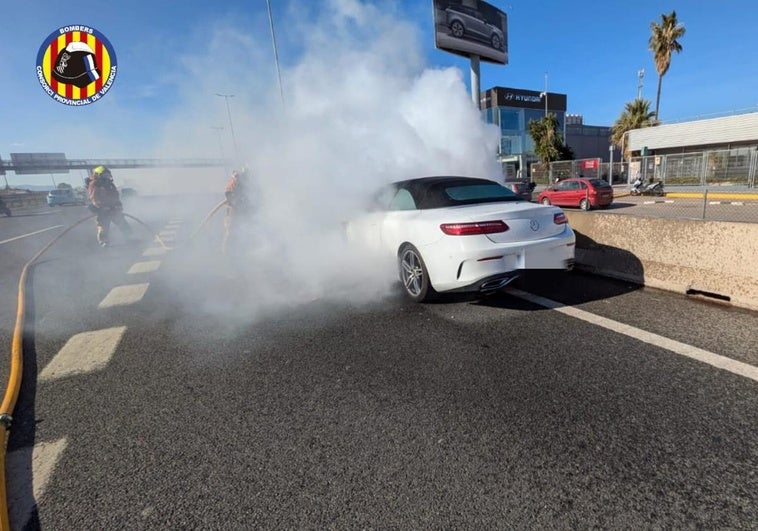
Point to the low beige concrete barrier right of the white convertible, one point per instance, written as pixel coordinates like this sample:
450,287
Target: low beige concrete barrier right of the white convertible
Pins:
714,259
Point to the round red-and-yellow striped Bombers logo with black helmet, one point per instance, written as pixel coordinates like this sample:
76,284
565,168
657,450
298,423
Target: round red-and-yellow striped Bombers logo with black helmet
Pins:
76,65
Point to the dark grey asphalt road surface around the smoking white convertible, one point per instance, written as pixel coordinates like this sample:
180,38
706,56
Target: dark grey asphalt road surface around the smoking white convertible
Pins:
367,412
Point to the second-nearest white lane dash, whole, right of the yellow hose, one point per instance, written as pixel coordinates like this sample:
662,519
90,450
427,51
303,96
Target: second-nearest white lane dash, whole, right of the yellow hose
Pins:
83,353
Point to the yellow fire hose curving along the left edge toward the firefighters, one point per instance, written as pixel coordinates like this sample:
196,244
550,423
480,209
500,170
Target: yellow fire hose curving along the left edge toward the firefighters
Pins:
17,362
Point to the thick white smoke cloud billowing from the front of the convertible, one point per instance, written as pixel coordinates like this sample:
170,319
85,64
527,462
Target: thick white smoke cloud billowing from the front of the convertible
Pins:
360,109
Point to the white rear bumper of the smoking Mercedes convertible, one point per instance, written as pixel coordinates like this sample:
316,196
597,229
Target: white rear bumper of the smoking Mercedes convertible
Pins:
469,270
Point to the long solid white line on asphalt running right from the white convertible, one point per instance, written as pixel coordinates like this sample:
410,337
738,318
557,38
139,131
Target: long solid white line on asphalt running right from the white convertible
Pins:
716,360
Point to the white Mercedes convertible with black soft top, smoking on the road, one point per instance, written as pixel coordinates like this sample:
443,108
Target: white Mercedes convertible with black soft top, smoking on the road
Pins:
462,234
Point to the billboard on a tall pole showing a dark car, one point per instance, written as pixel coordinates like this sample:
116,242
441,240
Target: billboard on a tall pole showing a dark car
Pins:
471,27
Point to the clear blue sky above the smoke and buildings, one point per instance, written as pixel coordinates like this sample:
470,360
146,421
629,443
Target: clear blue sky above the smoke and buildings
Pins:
591,50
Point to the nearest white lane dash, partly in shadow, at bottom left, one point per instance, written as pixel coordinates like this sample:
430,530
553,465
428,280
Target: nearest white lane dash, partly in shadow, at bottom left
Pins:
26,487
